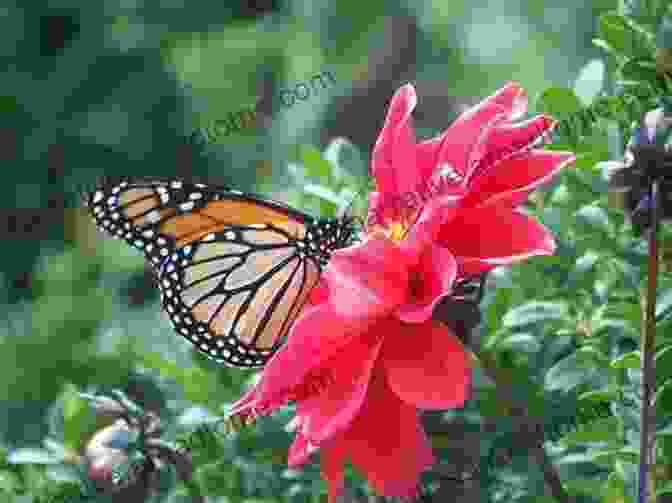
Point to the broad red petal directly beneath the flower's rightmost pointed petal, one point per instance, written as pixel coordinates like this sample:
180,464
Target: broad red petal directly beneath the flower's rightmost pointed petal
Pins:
494,235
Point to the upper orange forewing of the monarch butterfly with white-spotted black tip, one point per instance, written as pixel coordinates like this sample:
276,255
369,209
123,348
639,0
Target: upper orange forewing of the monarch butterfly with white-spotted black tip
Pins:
158,216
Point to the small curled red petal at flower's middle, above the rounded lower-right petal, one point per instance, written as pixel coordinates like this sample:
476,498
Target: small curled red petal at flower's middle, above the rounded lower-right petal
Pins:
435,273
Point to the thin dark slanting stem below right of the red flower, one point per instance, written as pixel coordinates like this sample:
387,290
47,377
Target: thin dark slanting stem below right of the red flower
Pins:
535,427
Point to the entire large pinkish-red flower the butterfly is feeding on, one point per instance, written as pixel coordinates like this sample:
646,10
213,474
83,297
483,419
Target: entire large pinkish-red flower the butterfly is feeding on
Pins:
365,354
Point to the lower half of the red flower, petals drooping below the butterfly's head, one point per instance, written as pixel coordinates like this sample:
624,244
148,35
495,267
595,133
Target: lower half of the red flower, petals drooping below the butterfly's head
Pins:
358,373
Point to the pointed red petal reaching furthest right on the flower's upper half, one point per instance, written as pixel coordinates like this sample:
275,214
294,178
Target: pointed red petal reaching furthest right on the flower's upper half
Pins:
511,181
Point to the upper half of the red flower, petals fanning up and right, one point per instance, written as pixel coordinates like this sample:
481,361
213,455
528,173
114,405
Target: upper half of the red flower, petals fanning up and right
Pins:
468,181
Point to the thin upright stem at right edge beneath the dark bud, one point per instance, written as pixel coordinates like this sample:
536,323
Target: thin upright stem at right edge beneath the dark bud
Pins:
648,344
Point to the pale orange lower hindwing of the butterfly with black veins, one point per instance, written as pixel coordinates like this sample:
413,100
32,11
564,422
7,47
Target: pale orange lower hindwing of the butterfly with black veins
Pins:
235,293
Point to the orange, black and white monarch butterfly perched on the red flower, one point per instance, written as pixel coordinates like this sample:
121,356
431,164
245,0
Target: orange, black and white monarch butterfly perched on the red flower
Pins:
233,269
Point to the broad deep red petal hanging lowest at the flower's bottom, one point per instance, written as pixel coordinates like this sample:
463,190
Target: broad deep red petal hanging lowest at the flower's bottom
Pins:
386,441
